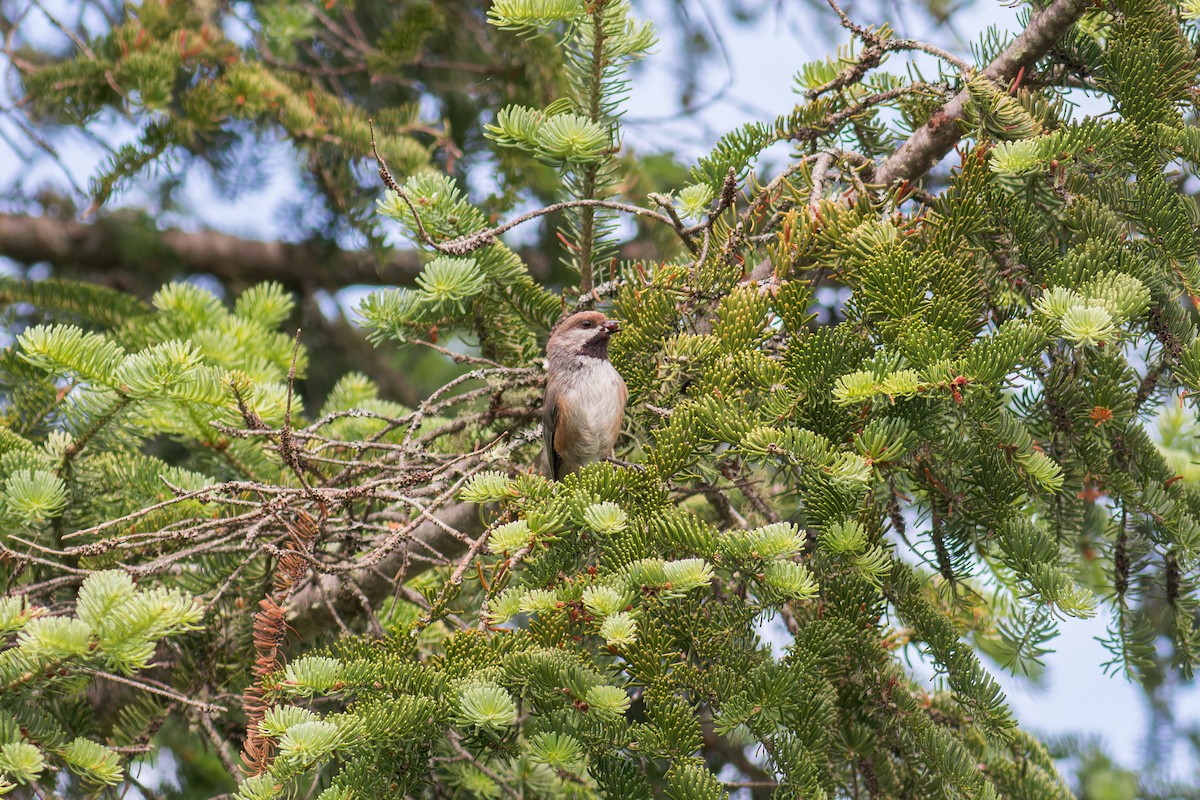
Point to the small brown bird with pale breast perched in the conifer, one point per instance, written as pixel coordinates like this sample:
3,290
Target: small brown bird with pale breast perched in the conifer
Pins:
585,395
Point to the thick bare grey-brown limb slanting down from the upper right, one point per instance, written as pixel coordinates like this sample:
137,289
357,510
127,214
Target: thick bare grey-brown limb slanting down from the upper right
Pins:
931,143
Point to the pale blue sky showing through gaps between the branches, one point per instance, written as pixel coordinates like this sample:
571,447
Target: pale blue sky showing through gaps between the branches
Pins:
753,79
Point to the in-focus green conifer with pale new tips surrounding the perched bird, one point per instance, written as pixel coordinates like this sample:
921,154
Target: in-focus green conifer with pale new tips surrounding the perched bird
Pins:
365,599
